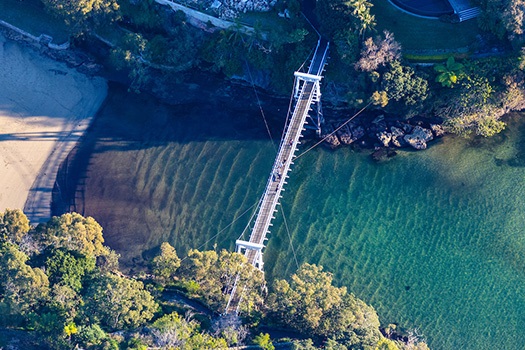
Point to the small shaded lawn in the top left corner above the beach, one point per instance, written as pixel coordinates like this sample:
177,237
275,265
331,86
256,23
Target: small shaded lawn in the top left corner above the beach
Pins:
29,15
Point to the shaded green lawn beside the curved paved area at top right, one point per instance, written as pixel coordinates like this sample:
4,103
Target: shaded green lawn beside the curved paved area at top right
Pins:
415,33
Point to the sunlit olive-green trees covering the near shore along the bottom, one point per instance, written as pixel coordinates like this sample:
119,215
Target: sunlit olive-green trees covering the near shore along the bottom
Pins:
62,283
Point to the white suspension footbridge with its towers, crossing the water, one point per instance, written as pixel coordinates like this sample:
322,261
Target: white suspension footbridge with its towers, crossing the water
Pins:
307,92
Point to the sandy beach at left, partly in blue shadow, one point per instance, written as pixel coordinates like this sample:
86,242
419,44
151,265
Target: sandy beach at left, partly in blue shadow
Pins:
44,109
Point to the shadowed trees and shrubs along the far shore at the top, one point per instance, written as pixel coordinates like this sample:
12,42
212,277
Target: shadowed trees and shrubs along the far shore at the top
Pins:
369,65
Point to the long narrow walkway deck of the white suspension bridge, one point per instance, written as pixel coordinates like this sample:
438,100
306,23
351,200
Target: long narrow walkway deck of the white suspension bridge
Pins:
281,166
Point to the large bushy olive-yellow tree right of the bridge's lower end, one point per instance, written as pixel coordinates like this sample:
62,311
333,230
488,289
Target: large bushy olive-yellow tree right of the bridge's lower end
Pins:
310,304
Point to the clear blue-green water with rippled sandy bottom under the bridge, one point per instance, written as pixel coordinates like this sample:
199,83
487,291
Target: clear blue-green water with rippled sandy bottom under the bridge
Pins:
434,240
